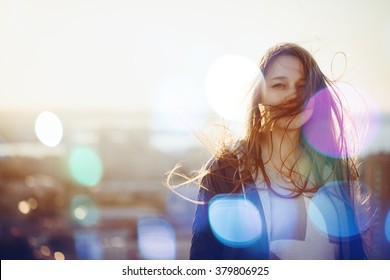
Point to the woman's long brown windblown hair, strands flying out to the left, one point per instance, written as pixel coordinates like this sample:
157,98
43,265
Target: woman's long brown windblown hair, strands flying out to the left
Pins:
246,155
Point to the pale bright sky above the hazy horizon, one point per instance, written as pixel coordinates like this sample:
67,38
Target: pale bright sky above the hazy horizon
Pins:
133,55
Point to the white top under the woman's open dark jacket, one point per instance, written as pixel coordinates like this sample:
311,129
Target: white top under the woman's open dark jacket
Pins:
292,234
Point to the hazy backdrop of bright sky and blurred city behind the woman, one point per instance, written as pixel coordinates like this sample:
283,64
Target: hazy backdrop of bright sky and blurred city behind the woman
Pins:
129,83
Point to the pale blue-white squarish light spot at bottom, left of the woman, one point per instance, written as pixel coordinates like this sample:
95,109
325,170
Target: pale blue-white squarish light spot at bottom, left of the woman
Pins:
156,239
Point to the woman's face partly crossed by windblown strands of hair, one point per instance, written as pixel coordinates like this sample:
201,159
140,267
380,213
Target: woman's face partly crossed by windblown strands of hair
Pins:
284,83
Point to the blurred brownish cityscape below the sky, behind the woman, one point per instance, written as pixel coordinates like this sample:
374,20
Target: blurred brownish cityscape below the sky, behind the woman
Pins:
121,210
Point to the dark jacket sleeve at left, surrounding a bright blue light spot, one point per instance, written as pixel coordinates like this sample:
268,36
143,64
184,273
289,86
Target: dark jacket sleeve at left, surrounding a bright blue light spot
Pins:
204,245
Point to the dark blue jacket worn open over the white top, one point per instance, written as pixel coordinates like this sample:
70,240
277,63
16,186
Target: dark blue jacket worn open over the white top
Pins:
206,246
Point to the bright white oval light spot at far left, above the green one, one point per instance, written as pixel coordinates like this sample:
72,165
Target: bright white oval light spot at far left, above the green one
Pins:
49,129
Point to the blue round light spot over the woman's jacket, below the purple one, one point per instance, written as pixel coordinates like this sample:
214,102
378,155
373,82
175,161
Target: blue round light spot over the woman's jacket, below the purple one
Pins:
331,214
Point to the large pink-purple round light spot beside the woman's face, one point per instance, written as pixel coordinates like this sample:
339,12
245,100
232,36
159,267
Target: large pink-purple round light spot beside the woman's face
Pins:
360,118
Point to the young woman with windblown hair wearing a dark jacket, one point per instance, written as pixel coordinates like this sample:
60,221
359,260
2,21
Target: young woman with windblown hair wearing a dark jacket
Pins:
275,194
